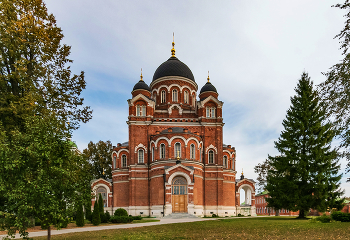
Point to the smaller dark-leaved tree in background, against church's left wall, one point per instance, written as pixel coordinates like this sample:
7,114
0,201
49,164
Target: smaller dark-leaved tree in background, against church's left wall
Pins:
100,157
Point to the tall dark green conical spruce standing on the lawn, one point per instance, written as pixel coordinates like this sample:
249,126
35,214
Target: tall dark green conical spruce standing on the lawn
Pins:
305,175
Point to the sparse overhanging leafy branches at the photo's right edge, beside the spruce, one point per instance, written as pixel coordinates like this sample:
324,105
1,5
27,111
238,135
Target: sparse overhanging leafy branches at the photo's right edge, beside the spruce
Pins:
335,91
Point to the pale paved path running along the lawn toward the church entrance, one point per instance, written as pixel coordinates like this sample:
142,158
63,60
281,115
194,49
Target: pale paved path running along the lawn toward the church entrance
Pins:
117,226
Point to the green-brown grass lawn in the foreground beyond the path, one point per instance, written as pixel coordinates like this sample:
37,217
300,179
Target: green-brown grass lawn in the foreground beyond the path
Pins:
236,228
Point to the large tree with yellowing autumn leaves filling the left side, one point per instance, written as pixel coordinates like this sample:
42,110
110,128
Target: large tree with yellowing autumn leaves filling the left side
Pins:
40,106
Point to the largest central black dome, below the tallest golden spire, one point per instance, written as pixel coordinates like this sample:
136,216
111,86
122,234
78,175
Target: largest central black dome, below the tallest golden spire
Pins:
173,67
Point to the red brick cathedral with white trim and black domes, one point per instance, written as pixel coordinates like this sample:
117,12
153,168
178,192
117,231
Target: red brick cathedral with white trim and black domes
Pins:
175,159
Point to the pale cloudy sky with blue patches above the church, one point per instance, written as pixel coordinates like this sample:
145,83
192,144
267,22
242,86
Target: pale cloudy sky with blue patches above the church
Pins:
255,51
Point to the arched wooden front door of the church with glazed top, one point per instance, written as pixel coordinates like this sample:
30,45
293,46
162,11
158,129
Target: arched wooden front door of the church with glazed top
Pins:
179,194
